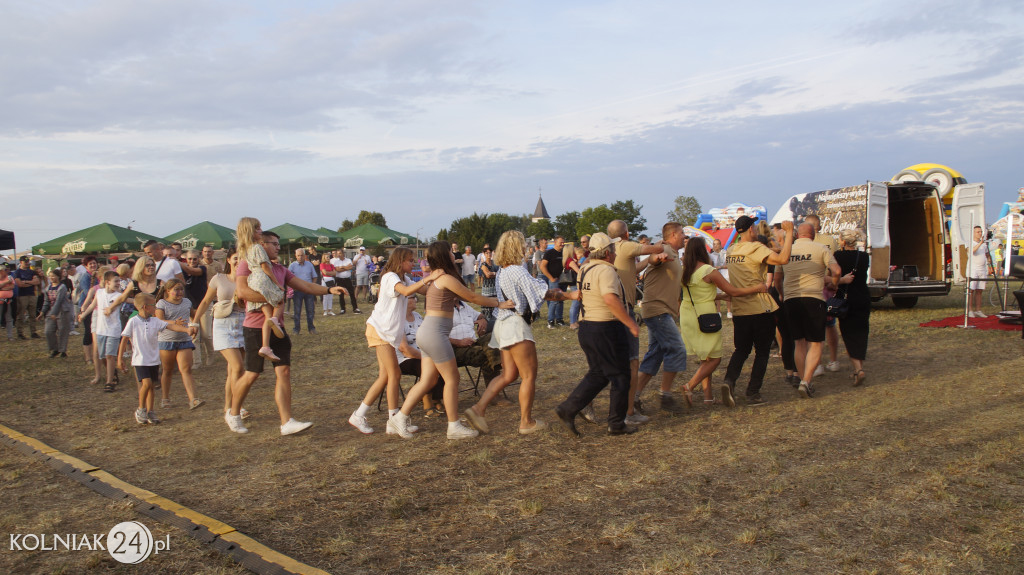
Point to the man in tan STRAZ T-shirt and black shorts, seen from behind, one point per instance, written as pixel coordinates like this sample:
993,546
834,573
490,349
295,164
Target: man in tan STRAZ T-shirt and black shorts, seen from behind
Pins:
803,283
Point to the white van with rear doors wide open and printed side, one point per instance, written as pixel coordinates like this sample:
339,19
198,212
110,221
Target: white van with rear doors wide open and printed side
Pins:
911,239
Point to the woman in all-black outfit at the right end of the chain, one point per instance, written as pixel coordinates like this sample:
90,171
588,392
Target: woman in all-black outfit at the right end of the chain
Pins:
854,285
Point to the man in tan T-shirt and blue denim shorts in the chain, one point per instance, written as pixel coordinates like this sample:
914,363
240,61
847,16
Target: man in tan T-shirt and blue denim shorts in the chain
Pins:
661,314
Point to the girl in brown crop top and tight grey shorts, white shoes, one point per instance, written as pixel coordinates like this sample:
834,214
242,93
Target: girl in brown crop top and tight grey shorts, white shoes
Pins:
439,358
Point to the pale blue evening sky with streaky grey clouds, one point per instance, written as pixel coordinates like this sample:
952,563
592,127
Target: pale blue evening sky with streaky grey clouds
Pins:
170,113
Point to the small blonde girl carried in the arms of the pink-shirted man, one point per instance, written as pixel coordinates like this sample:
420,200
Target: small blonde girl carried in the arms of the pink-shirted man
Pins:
262,281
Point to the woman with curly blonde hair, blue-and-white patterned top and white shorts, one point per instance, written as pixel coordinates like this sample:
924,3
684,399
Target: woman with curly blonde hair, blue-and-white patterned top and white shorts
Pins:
514,335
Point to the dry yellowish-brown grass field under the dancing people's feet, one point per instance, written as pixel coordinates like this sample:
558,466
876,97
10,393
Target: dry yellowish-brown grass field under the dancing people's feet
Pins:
920,471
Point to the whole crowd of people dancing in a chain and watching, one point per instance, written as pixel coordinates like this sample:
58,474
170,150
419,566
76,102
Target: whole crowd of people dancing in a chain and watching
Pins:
170,312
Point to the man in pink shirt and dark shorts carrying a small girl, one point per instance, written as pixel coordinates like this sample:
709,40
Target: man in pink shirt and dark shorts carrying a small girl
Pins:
252,333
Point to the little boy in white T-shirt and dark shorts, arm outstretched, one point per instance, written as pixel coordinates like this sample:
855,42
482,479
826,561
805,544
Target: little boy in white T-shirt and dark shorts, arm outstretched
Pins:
142,334
